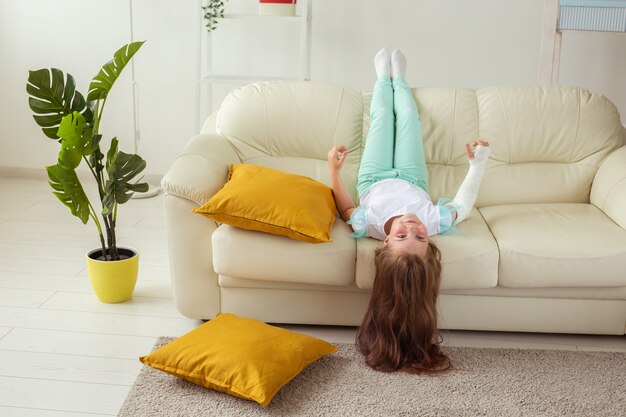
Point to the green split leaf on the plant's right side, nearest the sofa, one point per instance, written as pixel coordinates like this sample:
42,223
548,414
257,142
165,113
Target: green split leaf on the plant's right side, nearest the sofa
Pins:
122,169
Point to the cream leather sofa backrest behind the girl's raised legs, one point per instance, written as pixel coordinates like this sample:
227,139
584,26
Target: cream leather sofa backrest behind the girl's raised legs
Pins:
548,142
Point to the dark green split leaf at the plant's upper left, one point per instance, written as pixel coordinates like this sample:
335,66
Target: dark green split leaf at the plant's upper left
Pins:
53,97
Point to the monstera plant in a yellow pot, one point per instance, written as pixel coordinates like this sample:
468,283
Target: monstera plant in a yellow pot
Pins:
65,116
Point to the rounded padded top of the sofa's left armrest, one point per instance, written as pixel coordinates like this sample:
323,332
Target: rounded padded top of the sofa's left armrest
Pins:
202,169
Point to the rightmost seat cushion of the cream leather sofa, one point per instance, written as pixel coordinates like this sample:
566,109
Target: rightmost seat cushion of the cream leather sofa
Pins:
557,245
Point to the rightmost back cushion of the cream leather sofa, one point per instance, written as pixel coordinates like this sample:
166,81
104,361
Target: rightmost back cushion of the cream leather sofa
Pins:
548,142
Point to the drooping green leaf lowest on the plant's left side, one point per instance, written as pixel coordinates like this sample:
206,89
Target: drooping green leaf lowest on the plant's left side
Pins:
69,191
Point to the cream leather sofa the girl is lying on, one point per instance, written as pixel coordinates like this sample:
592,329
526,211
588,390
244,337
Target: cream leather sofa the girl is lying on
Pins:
543,251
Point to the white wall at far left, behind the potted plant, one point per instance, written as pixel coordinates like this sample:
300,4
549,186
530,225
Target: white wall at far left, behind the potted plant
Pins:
76,36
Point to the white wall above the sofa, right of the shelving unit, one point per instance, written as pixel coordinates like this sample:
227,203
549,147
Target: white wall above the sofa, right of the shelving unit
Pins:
459,43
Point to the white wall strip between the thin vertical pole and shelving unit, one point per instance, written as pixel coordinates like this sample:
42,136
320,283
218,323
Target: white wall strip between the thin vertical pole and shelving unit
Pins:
166,71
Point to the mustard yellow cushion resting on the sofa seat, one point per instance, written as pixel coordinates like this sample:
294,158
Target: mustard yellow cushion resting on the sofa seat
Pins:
267,200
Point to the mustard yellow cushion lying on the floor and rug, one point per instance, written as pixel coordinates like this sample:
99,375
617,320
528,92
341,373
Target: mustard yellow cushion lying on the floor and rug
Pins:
242,357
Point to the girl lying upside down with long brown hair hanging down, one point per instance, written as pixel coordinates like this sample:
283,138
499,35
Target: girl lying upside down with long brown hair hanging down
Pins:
399,330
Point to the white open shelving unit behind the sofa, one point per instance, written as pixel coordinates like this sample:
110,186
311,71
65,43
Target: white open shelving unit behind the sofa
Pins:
207,77
